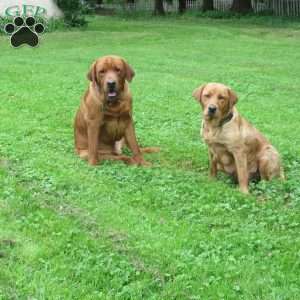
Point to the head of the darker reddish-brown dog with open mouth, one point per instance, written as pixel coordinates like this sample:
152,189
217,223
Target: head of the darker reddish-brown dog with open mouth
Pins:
109,73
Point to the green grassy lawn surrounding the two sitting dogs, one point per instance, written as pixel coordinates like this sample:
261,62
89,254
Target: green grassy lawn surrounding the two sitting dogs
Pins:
70,231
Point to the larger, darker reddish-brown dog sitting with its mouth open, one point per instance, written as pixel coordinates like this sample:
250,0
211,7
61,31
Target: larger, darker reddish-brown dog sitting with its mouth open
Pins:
103,122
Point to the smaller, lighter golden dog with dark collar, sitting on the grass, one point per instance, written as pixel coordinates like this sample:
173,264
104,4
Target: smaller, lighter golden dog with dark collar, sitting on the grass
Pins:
234,145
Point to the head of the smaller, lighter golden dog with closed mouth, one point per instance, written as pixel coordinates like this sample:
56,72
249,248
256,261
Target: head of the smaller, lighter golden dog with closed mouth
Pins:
216,99
